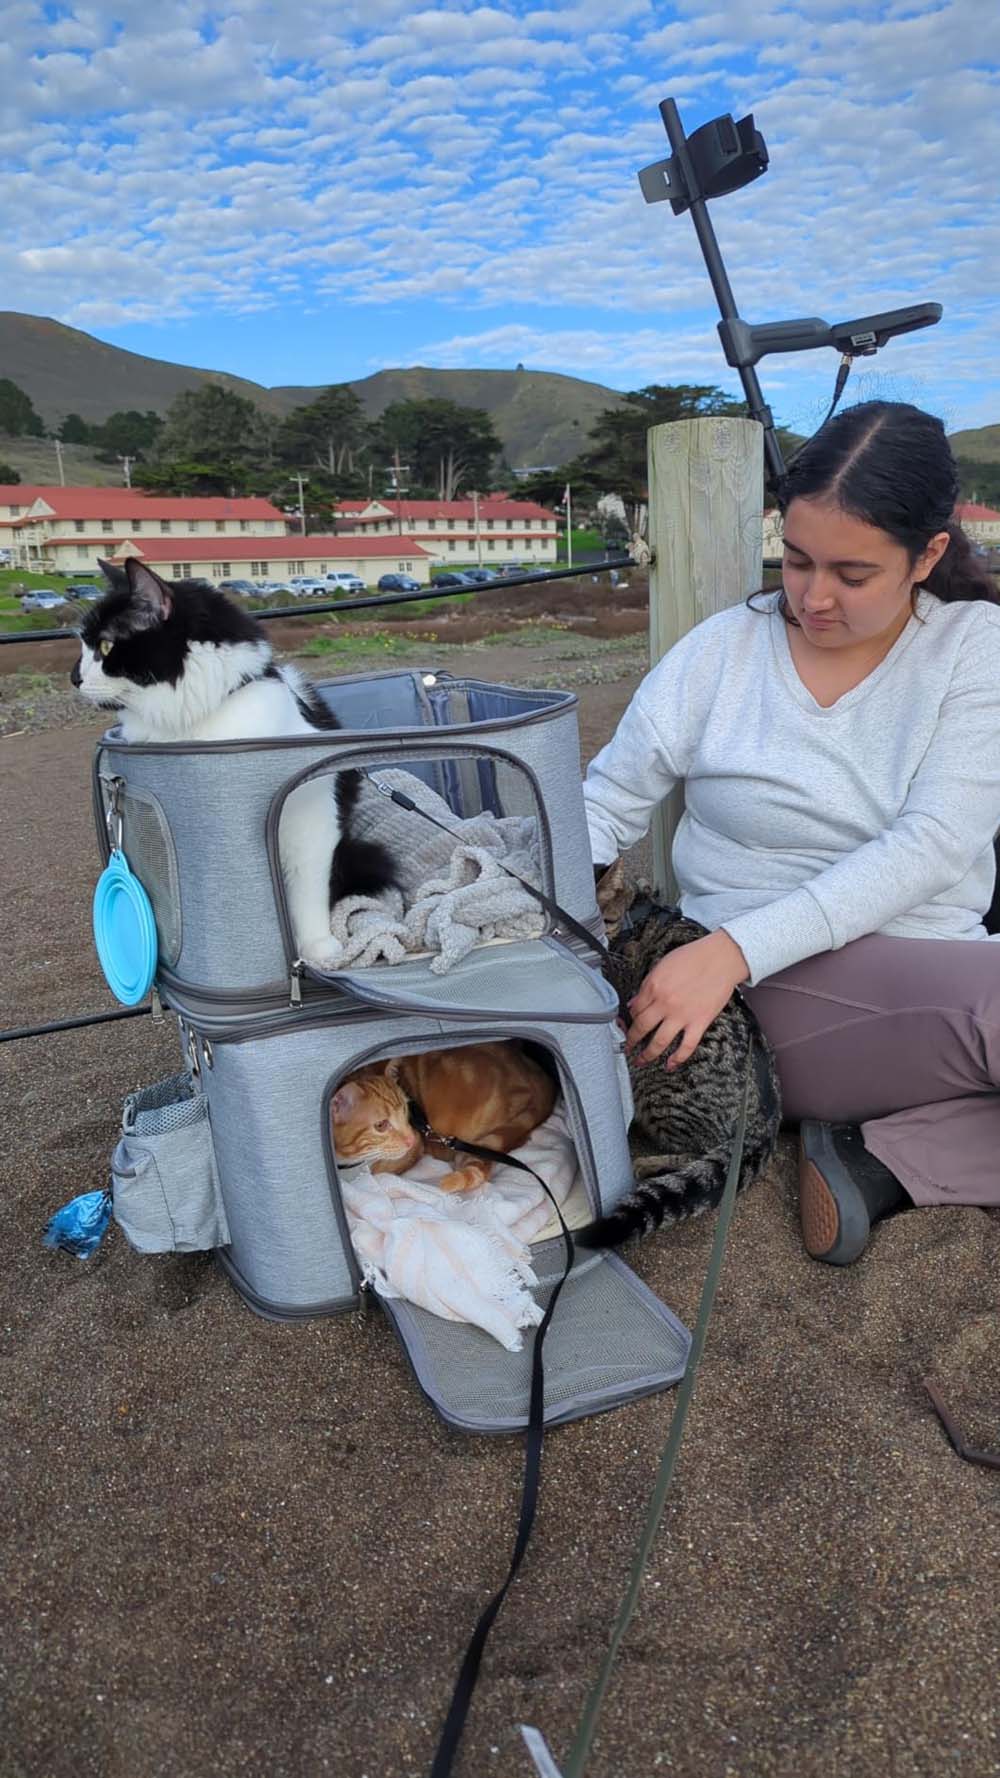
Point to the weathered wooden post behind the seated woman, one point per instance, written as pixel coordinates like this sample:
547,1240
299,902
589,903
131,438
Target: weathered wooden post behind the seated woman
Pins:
707,541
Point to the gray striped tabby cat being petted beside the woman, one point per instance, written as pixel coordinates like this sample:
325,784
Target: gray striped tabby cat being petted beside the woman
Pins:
684,1123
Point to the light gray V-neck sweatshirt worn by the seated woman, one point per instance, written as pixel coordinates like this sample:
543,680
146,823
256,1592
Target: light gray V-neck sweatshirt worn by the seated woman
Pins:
809,828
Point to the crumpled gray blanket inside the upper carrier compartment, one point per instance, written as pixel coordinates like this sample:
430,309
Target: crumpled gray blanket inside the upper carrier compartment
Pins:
455,893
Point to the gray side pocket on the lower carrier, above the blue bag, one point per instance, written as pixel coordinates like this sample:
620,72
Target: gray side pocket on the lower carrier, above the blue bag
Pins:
165,1181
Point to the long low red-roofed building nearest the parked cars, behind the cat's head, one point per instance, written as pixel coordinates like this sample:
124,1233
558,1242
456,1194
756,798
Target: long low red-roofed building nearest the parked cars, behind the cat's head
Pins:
278,559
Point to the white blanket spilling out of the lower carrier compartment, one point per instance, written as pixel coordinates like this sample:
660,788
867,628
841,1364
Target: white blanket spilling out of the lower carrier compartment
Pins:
464,1254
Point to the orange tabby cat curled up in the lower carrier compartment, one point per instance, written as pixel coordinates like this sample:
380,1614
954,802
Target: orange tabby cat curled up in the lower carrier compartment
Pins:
492,1094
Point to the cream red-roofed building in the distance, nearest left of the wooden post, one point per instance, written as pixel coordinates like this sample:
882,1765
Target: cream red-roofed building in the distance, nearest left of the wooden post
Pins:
490,529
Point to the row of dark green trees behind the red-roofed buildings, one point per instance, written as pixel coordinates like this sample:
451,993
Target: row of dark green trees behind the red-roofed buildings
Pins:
218,442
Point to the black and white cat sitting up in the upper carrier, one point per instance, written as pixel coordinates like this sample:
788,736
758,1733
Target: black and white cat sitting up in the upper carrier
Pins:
182,664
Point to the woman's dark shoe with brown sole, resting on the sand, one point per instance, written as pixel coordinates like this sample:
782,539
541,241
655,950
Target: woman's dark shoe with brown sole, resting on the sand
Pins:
843,1192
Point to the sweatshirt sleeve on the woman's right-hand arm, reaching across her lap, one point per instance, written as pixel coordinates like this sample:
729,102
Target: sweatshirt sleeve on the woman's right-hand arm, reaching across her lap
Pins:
949,819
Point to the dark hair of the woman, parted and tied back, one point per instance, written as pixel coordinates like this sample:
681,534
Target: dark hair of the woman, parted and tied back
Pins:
891,465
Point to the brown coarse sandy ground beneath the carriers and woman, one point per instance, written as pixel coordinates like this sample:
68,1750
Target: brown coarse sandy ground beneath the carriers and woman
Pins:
236,1548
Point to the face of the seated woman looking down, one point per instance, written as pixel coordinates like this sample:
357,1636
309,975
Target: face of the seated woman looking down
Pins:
848,582
